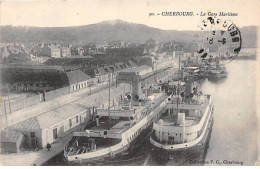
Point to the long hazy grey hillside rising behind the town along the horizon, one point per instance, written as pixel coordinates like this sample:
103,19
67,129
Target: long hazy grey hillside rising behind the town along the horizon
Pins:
106,31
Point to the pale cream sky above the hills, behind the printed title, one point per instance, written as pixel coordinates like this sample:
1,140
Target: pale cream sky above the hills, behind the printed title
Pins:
62,13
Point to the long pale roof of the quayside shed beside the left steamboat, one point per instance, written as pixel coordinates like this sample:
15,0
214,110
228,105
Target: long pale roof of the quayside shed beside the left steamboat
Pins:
60,114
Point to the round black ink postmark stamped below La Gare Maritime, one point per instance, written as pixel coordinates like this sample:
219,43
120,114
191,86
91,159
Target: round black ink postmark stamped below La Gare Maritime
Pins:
218,39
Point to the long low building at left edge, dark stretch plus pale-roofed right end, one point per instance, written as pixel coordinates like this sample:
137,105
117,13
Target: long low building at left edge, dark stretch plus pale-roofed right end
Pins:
39,78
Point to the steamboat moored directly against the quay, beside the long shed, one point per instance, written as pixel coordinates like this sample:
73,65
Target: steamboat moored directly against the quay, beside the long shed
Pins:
117,132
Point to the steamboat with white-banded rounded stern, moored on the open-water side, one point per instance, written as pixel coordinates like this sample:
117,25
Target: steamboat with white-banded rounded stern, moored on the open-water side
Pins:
183,131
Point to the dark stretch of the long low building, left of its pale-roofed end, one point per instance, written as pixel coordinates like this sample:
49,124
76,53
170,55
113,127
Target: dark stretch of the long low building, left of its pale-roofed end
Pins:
32,77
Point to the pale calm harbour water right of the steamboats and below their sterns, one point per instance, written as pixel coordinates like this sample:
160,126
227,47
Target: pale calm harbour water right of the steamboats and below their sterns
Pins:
234,131
